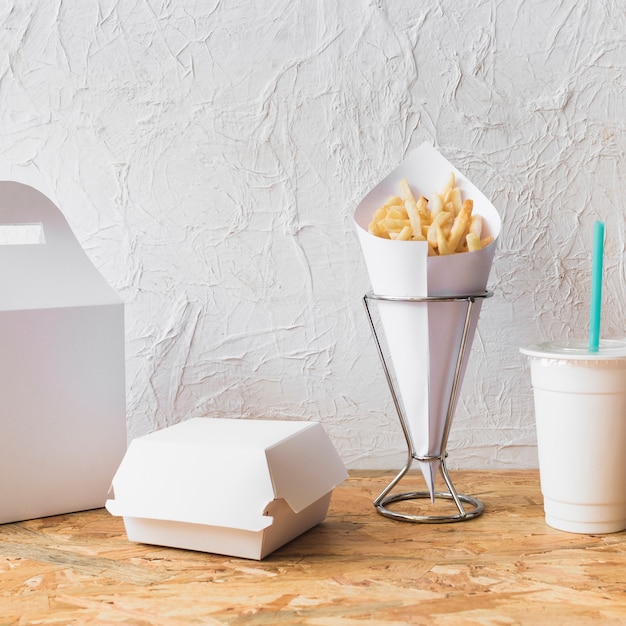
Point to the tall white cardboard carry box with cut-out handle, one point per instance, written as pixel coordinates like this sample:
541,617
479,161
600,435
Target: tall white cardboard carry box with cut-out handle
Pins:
62,376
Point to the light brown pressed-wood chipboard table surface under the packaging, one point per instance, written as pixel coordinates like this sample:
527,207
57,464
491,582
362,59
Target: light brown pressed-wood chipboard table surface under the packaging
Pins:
505,567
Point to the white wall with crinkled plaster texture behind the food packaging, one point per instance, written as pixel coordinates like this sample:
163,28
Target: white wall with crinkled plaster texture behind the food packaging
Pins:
209,155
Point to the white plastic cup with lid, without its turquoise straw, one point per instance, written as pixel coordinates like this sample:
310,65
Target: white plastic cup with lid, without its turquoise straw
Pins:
580,413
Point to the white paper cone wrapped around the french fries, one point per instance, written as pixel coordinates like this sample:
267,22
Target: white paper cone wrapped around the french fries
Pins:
423,339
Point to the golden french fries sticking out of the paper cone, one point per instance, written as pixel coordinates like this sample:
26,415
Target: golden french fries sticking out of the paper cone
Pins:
445,221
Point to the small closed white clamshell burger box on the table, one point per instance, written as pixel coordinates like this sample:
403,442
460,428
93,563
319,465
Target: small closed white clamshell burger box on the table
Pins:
239,487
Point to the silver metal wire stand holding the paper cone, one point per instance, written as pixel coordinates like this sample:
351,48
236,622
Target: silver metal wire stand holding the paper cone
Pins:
385,498
